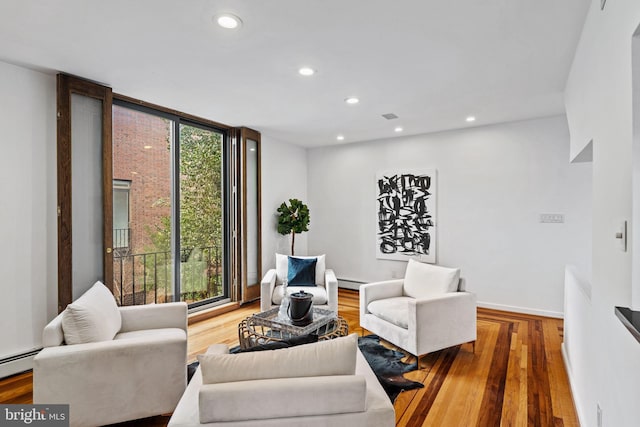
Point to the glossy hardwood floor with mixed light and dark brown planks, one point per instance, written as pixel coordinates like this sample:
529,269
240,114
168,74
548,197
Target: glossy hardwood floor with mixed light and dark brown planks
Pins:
516,376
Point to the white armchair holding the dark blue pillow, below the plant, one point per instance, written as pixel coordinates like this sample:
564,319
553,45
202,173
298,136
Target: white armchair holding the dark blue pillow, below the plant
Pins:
325,293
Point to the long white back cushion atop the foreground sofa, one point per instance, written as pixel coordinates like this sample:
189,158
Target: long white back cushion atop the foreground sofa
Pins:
331,357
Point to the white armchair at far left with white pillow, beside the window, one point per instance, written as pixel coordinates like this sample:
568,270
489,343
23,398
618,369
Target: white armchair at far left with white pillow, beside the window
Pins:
110,363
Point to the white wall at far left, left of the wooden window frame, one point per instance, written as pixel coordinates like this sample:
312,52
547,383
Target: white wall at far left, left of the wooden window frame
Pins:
28,252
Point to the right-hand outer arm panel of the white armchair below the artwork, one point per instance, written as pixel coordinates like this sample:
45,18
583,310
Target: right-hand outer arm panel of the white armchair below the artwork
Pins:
449,317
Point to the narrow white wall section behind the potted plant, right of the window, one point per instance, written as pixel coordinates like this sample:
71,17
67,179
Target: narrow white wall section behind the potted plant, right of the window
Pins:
284,176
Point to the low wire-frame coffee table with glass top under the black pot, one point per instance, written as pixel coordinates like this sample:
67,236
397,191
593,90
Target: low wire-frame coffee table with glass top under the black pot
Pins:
265,327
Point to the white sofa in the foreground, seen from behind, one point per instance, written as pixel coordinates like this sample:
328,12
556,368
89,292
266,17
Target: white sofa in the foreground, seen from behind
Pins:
328,383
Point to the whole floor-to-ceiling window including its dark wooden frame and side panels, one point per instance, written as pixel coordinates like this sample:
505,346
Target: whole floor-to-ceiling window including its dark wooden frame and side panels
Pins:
166,205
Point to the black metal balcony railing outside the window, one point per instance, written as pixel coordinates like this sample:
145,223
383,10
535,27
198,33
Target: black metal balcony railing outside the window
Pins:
147,277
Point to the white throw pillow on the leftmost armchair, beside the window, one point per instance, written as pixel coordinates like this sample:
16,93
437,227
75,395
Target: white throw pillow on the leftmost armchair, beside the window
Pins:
91,318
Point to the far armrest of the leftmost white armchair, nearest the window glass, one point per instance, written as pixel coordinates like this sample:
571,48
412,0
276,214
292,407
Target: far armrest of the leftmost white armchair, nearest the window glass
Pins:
154,316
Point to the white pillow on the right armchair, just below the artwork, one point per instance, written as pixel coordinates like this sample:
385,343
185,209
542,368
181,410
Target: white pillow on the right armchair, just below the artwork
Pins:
426,280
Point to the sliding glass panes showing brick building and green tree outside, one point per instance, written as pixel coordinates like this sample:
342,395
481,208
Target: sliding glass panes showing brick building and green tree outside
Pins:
176,192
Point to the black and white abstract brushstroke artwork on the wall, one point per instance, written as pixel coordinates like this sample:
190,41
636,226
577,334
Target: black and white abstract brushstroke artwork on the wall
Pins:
406,203
